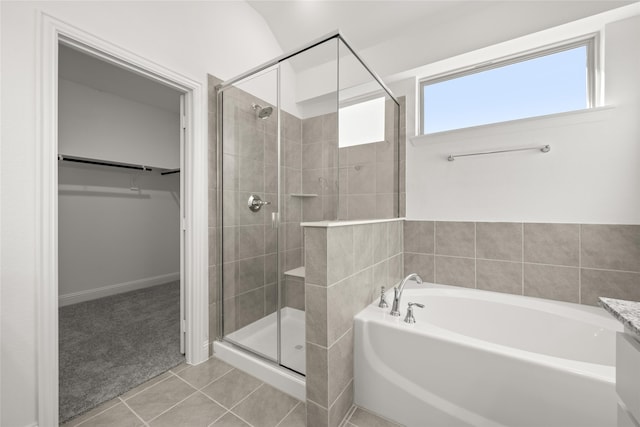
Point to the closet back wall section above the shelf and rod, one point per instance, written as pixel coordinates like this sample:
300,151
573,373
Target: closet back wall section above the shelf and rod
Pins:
104,126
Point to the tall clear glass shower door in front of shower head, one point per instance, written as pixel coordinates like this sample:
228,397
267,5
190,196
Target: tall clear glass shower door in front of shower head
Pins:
249,200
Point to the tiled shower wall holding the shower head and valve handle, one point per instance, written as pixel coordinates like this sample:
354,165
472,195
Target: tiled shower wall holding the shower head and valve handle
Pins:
249,242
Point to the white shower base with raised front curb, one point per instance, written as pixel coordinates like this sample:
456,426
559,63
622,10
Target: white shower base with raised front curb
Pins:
260,337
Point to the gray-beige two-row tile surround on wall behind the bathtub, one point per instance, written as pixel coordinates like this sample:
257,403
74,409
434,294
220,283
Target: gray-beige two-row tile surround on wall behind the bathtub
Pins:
567,262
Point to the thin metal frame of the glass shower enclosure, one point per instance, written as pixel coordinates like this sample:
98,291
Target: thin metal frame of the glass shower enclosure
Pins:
275,63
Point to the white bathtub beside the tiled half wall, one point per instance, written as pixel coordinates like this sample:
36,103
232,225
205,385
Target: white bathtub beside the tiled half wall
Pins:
479,358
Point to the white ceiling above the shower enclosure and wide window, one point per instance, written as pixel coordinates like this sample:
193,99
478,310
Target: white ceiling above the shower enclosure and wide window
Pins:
395,35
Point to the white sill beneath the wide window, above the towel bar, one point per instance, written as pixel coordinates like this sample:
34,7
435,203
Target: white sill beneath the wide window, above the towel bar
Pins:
568,118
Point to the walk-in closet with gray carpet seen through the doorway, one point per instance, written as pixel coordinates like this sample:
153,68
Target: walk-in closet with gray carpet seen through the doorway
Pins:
119,231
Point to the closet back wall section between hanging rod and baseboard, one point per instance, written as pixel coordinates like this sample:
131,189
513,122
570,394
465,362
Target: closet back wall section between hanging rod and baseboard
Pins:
109,235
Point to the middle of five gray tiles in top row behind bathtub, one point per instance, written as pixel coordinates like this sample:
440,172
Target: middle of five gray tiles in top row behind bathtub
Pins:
499,240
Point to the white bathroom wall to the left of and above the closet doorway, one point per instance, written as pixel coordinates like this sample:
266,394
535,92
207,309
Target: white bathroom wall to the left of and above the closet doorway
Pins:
192,38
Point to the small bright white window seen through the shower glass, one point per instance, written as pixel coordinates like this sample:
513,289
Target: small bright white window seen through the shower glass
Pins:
361,123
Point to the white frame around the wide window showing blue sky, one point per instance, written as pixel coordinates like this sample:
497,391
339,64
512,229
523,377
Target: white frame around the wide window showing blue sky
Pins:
591,41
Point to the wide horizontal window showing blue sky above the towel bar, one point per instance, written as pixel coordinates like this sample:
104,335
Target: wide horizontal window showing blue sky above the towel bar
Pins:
534,84
